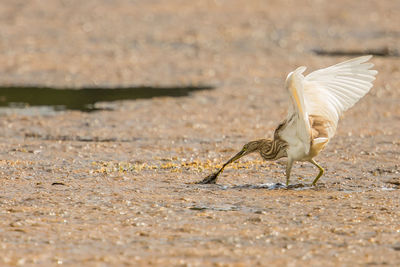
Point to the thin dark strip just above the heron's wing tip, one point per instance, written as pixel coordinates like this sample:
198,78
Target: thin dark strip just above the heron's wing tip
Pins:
380,52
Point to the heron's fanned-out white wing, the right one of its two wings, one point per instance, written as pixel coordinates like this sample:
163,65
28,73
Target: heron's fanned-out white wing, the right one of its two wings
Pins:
331,91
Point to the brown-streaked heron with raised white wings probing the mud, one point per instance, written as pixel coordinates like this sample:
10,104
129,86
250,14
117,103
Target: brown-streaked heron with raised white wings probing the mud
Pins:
317,101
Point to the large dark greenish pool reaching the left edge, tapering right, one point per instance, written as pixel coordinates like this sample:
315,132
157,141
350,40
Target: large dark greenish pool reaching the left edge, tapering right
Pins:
84,99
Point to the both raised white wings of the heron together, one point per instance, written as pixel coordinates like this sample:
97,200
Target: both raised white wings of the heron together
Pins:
328,93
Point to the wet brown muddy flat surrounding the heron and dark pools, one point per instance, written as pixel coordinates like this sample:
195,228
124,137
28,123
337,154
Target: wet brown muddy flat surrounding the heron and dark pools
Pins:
116,187
